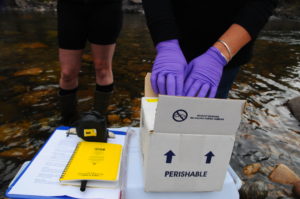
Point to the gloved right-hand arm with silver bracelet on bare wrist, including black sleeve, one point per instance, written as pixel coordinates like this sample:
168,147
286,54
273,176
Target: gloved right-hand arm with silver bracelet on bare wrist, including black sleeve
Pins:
206,69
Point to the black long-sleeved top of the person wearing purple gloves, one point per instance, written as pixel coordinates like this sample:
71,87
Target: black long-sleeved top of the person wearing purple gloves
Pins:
198,24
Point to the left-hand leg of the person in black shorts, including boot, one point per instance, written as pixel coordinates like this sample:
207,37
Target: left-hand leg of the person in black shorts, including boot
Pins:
72,36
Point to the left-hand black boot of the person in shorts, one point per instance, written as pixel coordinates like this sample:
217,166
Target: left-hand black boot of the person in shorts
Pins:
68,108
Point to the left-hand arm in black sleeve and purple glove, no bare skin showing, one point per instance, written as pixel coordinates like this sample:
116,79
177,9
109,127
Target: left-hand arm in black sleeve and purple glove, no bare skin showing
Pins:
169,66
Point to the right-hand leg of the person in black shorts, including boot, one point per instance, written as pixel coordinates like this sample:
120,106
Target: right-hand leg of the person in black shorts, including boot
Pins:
104,27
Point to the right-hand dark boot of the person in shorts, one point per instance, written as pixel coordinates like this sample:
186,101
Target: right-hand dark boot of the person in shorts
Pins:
102,100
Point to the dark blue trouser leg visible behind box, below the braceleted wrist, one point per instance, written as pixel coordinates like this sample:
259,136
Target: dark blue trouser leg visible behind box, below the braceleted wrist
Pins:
228,77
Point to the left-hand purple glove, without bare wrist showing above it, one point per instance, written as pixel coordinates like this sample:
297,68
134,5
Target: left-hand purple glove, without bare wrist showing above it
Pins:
168,69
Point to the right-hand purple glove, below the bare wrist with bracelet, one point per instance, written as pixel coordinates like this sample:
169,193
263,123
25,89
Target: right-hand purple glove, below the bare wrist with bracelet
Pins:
205,75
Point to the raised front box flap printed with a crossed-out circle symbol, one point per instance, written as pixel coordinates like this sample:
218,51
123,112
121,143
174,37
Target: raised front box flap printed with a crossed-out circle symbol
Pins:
194,115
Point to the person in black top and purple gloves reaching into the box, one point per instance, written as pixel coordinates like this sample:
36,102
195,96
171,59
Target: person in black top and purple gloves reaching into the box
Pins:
202,44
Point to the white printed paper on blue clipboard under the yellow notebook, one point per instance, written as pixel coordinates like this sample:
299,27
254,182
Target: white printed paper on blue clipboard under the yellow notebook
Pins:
42,176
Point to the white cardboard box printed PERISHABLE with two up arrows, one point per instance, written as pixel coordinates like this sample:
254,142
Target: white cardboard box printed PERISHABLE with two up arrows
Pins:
187,142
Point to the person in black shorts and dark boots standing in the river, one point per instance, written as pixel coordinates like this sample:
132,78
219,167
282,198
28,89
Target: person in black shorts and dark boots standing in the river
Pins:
79,21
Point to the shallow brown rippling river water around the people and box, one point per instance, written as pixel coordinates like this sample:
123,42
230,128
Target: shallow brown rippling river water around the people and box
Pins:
29,74
